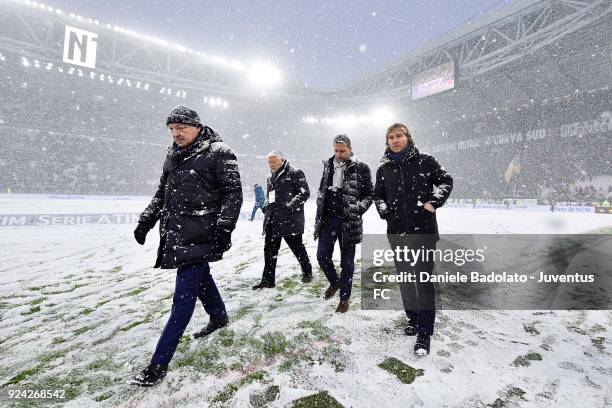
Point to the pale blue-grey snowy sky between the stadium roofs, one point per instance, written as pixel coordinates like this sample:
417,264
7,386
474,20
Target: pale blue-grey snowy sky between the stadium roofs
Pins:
318,42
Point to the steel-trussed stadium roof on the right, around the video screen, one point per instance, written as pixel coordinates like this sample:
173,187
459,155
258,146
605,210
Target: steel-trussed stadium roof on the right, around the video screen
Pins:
485,44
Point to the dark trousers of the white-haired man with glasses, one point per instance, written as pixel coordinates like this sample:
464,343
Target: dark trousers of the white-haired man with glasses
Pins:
271,247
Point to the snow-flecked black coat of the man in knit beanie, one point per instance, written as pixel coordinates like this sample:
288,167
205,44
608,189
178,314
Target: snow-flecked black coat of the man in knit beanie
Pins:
199,192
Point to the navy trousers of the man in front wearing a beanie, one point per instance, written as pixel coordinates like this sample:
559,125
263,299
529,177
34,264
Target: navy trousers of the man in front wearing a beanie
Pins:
192,282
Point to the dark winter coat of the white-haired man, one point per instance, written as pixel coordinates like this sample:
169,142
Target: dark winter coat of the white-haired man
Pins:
285,216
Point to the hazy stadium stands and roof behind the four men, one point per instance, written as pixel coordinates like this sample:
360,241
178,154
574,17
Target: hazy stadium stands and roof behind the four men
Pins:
545,104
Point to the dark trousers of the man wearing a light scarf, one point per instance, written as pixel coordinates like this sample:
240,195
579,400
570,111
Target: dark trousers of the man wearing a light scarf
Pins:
331,229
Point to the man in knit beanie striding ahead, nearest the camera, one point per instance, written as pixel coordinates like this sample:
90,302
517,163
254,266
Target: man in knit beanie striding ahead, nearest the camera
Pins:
197,204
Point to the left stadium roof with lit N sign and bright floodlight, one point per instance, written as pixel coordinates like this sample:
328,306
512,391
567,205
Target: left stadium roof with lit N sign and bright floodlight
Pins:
42,31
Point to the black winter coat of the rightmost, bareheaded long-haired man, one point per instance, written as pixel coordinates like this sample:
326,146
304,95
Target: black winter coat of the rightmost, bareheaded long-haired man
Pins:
402,189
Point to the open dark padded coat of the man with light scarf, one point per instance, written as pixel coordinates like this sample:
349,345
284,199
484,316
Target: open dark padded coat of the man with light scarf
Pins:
357,194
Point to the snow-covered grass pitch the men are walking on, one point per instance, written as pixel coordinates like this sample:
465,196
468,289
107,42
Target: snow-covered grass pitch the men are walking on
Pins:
81,309
